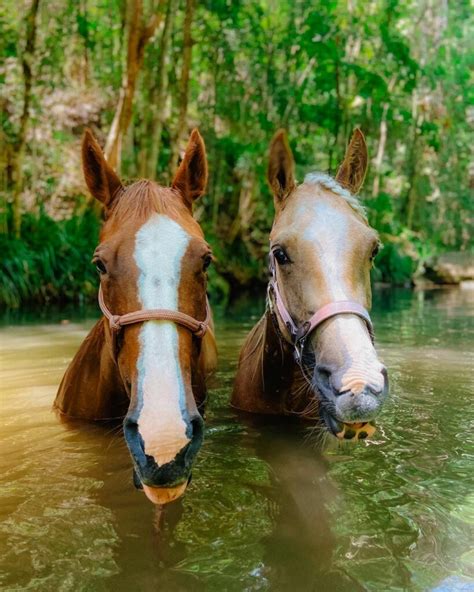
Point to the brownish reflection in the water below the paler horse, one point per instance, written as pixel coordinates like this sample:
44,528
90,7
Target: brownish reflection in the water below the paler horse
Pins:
298,550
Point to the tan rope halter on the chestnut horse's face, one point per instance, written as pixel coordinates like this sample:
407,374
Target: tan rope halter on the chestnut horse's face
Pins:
117,322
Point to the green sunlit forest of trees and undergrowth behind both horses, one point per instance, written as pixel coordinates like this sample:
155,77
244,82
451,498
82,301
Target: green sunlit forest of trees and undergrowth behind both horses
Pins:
142,73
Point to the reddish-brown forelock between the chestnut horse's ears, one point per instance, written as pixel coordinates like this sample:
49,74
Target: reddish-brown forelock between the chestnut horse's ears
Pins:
143,198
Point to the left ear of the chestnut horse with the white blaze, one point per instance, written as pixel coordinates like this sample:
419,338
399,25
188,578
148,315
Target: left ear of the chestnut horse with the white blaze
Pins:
101,179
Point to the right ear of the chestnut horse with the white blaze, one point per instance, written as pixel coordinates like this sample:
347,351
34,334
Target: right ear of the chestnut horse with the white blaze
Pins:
191,177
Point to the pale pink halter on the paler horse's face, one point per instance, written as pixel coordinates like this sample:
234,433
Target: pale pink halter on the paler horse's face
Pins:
299,334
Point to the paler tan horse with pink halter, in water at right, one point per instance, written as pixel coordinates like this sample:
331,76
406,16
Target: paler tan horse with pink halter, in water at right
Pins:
312,351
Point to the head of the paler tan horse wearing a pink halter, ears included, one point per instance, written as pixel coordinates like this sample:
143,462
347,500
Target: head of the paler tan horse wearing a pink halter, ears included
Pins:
322,249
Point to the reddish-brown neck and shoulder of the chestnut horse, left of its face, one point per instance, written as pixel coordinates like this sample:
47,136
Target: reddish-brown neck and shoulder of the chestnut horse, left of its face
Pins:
91,388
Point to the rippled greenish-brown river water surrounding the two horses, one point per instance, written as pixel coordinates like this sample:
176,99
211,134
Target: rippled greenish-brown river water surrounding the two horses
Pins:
265,511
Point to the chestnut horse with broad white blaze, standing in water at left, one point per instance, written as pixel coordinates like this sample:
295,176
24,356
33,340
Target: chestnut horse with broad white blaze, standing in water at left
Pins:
149,366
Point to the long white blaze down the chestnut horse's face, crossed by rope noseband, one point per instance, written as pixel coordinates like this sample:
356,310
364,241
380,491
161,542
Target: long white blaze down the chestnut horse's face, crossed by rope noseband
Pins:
160,245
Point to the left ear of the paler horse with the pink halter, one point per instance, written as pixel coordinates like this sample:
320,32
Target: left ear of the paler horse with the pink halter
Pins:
281,167
